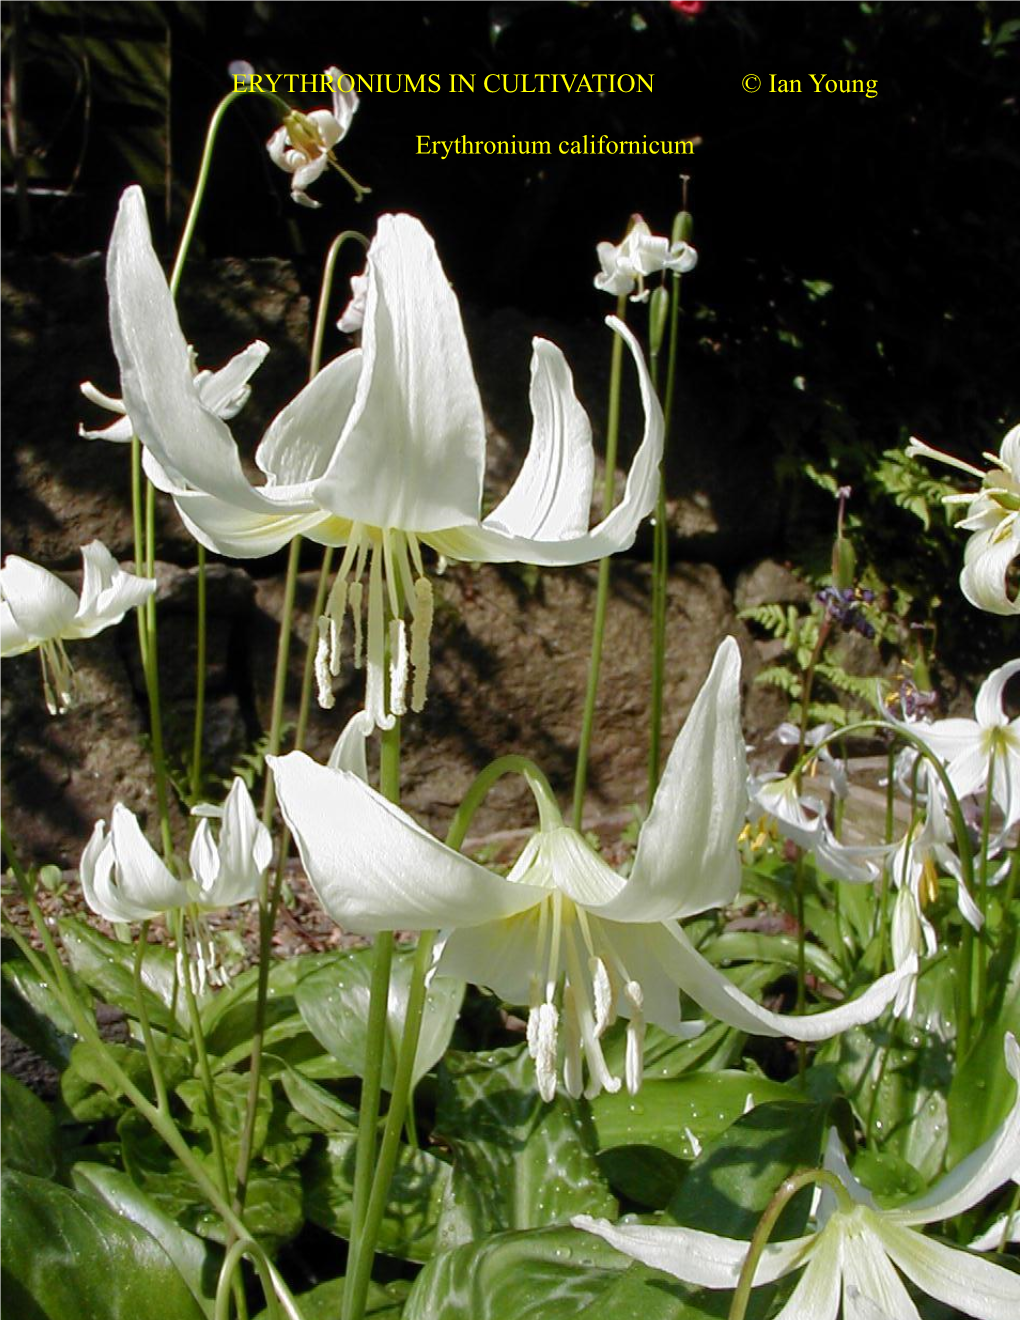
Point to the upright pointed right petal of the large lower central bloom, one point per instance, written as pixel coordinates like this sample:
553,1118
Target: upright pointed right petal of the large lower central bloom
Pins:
687,857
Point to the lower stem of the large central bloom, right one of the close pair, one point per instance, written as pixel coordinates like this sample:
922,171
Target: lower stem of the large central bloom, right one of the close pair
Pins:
360,1276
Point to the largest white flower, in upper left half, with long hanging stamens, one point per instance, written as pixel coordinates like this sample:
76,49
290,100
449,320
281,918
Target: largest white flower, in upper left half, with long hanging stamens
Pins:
383,452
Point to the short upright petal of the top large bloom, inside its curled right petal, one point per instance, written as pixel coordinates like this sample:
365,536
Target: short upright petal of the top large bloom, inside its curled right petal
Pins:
551,500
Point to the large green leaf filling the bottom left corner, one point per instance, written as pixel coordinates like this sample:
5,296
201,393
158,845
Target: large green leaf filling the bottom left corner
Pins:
65,1255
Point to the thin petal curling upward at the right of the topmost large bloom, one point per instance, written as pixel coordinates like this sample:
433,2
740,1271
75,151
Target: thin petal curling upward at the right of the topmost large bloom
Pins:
616,533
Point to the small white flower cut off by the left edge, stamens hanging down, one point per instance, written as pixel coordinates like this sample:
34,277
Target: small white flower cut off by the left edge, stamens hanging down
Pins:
38,610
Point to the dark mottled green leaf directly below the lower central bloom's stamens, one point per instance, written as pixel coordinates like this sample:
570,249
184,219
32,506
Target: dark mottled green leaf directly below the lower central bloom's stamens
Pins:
519,1164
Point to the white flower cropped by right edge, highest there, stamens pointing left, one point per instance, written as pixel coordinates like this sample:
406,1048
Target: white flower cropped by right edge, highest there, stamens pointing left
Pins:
994,518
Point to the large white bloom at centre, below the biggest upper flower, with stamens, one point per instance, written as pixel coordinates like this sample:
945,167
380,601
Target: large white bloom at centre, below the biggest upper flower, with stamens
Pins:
564,933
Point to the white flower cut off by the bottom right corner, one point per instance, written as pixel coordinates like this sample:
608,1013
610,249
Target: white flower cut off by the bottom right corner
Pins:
857,1244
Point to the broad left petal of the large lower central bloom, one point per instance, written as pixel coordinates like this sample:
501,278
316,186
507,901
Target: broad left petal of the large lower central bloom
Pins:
377,869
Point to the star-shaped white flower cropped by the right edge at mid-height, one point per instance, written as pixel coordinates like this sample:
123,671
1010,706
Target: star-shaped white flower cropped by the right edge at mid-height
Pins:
984,752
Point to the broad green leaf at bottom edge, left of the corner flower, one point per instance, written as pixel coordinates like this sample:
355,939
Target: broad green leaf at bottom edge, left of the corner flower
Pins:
544,1274
